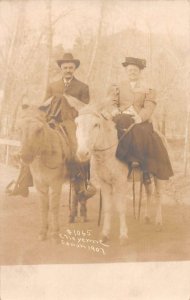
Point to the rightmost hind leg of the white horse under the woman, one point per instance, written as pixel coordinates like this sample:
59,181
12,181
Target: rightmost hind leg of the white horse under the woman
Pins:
159,190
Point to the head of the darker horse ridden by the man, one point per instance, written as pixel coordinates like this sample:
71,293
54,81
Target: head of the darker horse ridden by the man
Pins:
31,127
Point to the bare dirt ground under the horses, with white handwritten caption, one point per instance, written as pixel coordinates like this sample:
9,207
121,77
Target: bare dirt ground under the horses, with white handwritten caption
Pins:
20,223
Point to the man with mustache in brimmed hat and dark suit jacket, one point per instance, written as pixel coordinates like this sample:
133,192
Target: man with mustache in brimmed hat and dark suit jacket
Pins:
76,93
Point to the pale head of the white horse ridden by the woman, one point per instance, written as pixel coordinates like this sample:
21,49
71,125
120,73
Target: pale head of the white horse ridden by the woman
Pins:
92,127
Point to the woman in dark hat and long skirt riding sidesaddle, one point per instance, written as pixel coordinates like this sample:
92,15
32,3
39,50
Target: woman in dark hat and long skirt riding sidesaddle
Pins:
133,105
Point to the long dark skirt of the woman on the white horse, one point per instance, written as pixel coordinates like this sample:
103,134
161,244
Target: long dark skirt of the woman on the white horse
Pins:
144,145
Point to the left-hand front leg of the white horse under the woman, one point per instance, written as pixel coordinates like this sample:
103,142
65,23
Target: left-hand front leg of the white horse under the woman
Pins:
107,207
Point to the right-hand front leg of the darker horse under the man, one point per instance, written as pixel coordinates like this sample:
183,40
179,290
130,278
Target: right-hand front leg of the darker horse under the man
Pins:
55,195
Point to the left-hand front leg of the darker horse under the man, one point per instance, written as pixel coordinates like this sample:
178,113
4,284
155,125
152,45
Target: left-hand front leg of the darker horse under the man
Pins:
43,208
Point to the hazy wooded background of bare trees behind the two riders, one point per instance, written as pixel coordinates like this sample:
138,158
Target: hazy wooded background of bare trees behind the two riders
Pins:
31,41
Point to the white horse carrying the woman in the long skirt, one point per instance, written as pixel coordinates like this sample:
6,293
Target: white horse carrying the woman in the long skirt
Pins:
97,140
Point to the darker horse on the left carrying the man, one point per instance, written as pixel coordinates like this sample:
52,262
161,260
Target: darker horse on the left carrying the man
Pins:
43,149
